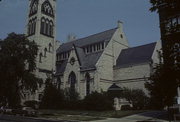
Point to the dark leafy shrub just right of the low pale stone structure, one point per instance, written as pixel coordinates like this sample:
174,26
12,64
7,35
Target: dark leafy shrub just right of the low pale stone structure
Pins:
136,97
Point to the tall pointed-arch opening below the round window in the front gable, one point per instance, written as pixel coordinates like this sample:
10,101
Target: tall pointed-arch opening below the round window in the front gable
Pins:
72,81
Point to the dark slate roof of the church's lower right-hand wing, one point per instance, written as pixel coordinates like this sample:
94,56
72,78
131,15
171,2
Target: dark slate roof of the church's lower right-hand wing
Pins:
135,55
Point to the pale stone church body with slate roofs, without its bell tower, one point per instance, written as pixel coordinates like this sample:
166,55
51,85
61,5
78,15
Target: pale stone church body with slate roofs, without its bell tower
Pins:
95,62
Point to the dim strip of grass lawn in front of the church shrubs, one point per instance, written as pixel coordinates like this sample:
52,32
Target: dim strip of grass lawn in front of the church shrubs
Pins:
85,115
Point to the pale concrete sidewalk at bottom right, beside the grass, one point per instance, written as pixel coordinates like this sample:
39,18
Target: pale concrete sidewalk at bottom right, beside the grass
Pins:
148,117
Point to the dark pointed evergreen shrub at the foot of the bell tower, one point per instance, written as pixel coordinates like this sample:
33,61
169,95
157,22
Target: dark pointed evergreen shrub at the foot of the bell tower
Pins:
52,98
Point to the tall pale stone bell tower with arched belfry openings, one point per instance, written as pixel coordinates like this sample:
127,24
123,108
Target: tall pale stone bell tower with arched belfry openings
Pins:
41,29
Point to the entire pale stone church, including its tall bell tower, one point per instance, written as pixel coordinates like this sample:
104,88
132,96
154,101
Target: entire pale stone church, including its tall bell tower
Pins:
93,63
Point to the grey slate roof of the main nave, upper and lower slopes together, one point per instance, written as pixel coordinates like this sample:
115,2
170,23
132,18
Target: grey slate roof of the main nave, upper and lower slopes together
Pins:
87,61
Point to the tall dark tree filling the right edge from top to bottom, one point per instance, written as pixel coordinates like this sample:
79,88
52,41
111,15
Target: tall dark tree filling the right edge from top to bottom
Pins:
165,79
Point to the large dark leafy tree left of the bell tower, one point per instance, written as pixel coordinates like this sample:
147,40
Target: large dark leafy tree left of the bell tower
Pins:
18,56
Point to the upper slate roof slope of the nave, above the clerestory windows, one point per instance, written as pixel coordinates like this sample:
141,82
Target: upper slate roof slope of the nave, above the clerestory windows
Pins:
99,37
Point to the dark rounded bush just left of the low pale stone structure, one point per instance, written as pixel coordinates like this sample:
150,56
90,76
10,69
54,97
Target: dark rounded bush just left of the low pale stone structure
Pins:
97,101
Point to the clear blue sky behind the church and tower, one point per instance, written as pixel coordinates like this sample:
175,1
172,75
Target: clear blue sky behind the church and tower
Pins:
86,17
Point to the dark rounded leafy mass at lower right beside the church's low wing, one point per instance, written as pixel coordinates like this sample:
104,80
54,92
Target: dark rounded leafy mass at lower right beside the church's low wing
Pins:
163,85
